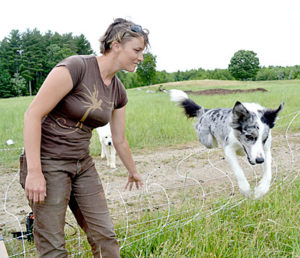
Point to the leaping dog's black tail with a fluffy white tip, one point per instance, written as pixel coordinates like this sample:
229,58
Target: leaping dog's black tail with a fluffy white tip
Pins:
191,109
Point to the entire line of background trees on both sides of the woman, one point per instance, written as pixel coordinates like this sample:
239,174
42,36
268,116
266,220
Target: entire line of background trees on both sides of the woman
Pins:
26,58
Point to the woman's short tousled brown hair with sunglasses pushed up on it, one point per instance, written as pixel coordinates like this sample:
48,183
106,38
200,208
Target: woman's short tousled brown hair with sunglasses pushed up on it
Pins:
122,30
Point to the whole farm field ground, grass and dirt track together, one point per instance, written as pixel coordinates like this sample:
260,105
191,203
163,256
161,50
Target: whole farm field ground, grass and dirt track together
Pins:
190,205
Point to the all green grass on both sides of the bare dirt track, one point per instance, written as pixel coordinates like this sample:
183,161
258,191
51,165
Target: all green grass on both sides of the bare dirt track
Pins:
246,228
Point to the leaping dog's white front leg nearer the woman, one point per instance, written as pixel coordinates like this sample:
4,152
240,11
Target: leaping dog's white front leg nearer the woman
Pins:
232,159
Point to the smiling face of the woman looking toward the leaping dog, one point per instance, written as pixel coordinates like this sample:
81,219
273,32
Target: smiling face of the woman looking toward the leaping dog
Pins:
131,53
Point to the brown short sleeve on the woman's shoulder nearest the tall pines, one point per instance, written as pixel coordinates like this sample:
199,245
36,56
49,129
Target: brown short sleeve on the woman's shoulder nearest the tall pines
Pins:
76,67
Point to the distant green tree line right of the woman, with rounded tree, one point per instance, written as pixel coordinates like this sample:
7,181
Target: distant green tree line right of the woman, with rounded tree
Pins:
244,65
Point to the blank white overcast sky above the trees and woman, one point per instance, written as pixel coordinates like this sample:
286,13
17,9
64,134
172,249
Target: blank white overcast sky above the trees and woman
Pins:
184,34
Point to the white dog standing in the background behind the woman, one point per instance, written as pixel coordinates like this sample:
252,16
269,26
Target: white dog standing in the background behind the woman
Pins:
107,149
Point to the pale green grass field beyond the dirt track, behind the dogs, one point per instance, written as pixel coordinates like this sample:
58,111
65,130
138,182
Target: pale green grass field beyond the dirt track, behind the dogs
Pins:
152,116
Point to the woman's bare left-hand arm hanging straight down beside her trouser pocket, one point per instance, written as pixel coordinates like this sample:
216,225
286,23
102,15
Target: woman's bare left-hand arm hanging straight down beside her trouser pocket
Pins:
57,84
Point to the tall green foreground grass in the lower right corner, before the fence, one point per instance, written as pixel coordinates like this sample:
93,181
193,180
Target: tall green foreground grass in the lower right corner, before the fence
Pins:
265,228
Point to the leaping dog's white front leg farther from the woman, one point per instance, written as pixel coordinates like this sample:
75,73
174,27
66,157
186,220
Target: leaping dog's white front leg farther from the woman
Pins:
264,184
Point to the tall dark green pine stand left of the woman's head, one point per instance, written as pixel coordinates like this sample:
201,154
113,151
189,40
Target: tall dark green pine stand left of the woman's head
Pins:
26,58
